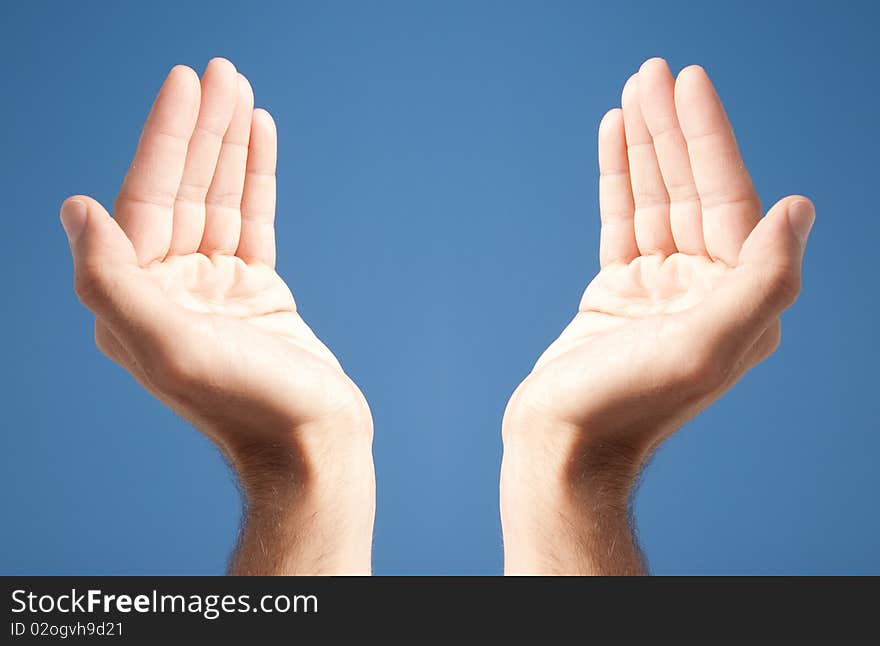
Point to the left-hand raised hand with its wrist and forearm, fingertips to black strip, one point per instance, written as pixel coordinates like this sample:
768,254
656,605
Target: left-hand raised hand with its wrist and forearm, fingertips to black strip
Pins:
183,286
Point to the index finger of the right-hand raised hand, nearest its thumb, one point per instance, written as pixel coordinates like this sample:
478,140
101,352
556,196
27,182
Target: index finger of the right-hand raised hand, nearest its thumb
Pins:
730,205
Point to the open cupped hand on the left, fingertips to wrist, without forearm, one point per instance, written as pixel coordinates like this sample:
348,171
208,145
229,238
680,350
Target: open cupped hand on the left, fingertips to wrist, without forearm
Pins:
182,279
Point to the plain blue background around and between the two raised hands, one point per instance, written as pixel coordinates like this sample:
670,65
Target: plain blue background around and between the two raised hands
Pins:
437,223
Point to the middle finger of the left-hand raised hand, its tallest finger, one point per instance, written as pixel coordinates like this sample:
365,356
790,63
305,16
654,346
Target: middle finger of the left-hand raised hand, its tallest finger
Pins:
219,96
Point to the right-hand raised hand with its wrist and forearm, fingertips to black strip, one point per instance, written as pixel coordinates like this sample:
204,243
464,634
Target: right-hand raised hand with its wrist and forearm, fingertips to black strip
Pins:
688,298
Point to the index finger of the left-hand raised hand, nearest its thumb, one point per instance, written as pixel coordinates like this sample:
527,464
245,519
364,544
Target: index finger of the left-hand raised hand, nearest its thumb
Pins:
145,205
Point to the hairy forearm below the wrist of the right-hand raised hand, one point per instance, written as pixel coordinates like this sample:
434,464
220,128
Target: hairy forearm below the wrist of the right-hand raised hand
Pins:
565,506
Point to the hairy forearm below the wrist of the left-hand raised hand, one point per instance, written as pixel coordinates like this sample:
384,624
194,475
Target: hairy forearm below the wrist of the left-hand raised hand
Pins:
306,510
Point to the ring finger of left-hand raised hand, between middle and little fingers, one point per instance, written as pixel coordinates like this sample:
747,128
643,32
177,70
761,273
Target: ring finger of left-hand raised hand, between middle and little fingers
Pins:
223,201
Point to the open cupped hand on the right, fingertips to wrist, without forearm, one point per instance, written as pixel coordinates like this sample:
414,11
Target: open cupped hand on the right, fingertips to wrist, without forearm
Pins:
692,279
